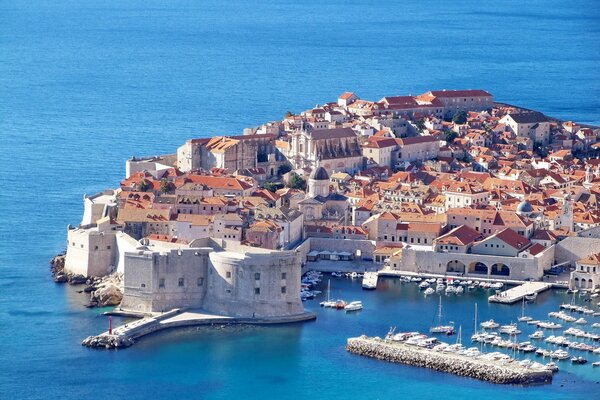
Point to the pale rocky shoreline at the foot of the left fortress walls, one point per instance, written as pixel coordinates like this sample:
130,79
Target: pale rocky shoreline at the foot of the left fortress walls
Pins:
104,291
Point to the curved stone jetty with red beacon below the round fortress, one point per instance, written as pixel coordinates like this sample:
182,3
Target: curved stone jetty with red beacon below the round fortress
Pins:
127,334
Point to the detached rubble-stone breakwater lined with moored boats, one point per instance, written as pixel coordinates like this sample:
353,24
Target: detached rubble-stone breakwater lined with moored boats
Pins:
486,370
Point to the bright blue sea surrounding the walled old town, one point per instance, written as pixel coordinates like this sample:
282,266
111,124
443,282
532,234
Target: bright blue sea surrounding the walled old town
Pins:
86,84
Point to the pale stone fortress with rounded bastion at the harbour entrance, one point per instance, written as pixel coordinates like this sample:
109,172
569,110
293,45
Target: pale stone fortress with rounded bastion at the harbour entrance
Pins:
216,276
